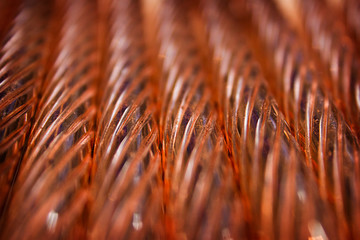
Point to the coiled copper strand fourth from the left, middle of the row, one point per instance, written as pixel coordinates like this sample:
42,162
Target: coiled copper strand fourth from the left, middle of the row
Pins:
201,198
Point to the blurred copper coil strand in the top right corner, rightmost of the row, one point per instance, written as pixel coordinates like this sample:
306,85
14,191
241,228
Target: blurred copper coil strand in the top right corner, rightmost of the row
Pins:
329,37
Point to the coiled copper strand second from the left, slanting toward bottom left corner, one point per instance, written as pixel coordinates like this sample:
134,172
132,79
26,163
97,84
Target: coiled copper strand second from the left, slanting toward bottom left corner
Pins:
50,195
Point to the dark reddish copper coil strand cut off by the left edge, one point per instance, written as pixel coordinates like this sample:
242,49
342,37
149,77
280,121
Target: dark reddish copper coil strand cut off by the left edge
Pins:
22,57
